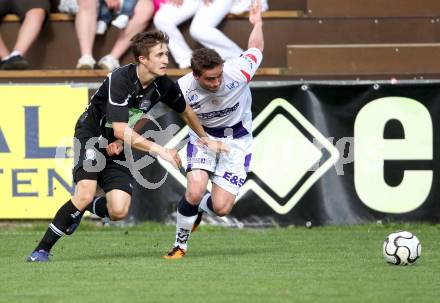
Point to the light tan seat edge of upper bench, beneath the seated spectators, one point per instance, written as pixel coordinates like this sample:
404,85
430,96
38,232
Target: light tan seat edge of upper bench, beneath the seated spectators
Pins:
271,14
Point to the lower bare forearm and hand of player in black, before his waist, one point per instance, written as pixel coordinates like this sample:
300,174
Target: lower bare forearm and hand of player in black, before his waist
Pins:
123,132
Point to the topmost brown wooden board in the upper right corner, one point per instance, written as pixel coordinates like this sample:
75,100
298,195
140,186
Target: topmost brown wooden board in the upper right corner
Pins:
373,8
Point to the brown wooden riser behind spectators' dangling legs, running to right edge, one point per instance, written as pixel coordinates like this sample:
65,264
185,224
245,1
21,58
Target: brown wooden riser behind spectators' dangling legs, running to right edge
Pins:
45,54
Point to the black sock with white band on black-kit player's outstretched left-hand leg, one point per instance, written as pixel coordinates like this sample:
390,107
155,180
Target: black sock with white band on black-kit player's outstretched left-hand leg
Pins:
63,219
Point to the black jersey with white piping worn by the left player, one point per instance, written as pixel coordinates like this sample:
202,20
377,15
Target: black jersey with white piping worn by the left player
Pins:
121,98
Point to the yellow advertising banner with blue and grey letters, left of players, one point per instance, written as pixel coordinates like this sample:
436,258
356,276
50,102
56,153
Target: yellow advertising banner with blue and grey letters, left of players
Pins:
36,158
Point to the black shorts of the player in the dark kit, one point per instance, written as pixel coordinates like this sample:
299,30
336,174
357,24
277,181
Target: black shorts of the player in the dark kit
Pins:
110,175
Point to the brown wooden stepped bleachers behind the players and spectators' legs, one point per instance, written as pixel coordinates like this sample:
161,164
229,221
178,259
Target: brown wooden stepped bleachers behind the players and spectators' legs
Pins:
332,30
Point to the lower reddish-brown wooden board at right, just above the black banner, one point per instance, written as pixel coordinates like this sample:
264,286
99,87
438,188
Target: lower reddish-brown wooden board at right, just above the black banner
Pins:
363,59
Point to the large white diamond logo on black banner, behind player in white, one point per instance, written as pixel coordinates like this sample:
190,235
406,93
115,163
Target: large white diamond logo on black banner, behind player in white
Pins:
289,156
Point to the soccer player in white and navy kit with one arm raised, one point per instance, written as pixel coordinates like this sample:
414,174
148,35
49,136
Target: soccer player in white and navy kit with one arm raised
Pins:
218,92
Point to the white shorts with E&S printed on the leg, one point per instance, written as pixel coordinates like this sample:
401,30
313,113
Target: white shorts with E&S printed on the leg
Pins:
229,170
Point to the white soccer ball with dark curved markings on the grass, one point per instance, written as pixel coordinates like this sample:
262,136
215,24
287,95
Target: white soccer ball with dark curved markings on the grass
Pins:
401,248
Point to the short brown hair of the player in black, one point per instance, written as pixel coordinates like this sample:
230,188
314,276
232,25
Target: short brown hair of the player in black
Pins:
141,43
